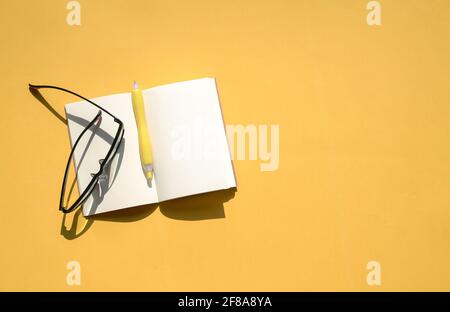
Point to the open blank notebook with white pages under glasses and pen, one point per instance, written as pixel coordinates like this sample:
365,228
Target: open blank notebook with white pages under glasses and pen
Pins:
190,148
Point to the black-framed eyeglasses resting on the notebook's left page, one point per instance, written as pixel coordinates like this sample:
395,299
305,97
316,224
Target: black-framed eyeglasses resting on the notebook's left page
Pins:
103,162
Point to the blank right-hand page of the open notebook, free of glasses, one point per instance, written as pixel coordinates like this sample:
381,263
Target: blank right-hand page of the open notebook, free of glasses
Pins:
190,148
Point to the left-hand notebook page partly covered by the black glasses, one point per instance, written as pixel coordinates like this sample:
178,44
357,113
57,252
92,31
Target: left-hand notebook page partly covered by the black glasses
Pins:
129,188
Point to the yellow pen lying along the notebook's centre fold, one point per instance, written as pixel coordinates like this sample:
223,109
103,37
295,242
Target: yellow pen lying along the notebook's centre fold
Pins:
145,146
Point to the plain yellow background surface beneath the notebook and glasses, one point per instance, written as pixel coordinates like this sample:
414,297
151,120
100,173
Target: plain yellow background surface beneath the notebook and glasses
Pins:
364,144
